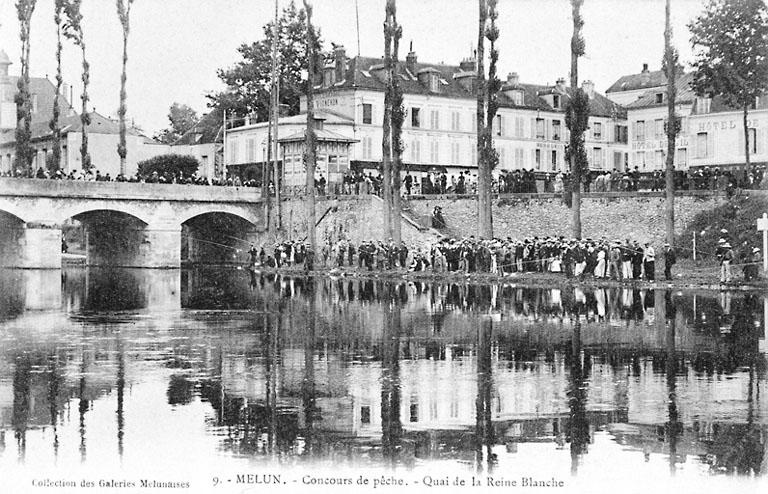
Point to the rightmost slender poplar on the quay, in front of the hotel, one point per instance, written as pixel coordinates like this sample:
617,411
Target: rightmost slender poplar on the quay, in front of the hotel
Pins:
671,129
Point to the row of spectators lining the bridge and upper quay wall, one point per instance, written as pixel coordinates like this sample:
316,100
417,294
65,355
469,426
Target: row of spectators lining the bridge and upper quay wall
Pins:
355,182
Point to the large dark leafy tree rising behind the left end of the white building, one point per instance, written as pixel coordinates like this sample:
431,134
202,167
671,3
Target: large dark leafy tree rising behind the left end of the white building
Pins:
249,80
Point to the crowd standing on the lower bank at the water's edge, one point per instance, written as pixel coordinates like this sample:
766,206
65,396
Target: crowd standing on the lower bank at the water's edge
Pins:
601,259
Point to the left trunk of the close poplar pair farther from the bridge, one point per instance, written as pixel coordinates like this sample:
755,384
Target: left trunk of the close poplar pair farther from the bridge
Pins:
483,200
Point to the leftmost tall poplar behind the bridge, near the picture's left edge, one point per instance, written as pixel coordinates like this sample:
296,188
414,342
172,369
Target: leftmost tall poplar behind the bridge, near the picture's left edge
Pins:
24,152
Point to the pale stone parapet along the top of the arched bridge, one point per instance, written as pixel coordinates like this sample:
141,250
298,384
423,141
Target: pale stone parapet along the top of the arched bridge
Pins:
31,187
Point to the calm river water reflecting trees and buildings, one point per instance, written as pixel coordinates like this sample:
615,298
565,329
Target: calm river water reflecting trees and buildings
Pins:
201,376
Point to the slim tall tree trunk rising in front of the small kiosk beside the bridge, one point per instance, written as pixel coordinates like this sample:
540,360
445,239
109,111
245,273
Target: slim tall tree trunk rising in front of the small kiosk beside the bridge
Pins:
310,161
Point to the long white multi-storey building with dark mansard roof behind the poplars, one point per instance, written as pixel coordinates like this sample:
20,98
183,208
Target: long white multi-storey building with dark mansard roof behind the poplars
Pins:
439,133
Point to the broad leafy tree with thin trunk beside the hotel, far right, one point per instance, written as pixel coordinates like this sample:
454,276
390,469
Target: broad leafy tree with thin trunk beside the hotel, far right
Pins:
730,40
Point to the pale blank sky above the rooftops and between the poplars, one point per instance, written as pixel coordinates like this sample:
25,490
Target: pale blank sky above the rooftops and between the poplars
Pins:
176,46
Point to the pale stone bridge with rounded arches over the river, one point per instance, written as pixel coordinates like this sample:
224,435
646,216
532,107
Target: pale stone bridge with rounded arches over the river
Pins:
126,224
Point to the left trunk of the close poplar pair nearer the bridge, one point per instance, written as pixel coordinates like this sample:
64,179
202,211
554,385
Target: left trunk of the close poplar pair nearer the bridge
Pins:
386,141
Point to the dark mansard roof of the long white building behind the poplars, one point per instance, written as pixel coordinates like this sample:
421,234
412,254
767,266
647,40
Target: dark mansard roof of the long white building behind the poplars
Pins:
366,73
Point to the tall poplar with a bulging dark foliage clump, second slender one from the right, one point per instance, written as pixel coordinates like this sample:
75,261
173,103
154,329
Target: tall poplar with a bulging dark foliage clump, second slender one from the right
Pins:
577,118
